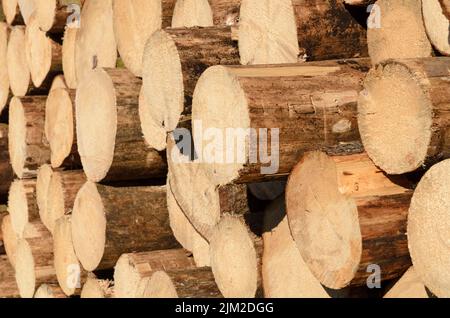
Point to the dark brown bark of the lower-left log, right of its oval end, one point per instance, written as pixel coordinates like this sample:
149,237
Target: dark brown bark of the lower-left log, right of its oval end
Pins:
137,220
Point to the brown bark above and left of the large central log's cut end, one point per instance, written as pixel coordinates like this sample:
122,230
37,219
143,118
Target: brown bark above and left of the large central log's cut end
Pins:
198,49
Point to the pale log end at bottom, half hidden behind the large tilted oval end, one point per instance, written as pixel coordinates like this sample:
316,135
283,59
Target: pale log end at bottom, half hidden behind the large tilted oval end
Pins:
284,272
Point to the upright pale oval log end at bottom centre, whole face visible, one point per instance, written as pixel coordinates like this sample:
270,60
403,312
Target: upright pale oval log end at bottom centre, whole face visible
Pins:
233,259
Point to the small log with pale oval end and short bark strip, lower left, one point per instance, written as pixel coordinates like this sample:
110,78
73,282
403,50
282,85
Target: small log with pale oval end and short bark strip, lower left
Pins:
22,204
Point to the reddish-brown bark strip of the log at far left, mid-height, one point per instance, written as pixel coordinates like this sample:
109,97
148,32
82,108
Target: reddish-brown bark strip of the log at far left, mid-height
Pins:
37,147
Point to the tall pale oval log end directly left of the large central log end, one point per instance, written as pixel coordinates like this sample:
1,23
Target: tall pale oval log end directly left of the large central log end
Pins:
163,85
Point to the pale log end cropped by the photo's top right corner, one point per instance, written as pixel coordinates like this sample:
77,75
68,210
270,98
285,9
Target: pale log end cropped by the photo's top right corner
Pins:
437,26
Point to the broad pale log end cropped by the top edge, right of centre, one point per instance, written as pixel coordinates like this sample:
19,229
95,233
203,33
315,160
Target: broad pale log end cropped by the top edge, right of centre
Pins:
268,32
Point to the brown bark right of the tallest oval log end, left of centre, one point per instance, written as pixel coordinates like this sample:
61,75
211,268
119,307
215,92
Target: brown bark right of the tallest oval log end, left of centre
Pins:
132,157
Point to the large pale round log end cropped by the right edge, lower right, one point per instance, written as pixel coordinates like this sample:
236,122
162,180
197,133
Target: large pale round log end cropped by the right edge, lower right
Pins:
428,229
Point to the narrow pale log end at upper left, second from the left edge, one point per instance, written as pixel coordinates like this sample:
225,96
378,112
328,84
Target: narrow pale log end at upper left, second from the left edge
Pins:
18,72
